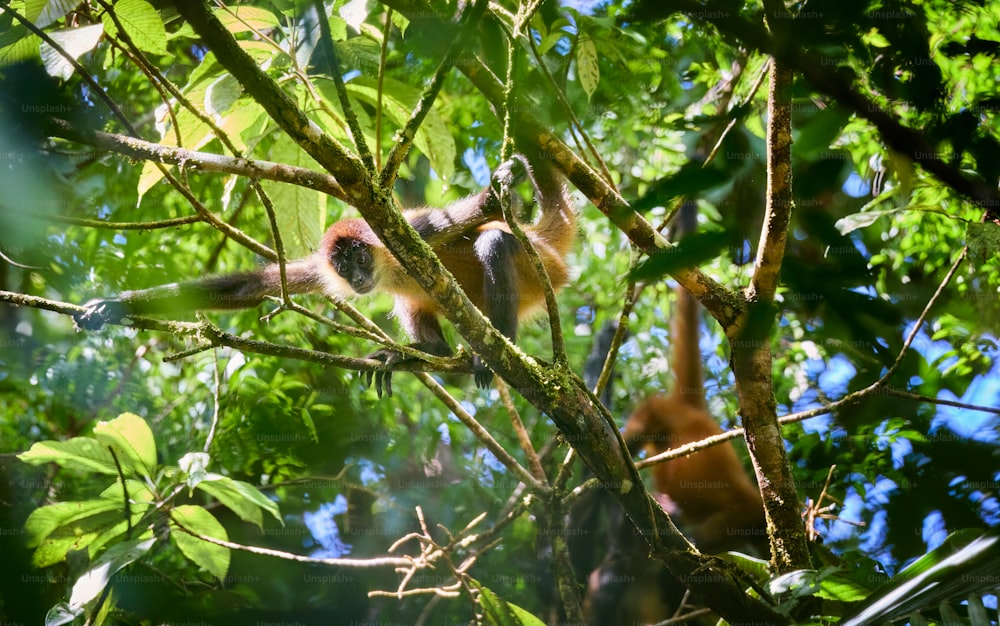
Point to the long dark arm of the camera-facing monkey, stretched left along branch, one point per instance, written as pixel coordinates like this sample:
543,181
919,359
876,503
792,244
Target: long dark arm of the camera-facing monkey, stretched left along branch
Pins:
230,291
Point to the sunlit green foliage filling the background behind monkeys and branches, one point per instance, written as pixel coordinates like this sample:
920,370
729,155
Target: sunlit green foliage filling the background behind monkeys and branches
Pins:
211,440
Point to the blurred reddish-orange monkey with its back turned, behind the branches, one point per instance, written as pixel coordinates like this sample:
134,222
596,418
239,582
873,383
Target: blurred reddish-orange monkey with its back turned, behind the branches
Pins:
714,495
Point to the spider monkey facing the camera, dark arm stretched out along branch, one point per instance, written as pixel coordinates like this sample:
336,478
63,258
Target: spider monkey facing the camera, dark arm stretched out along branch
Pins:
468,236
